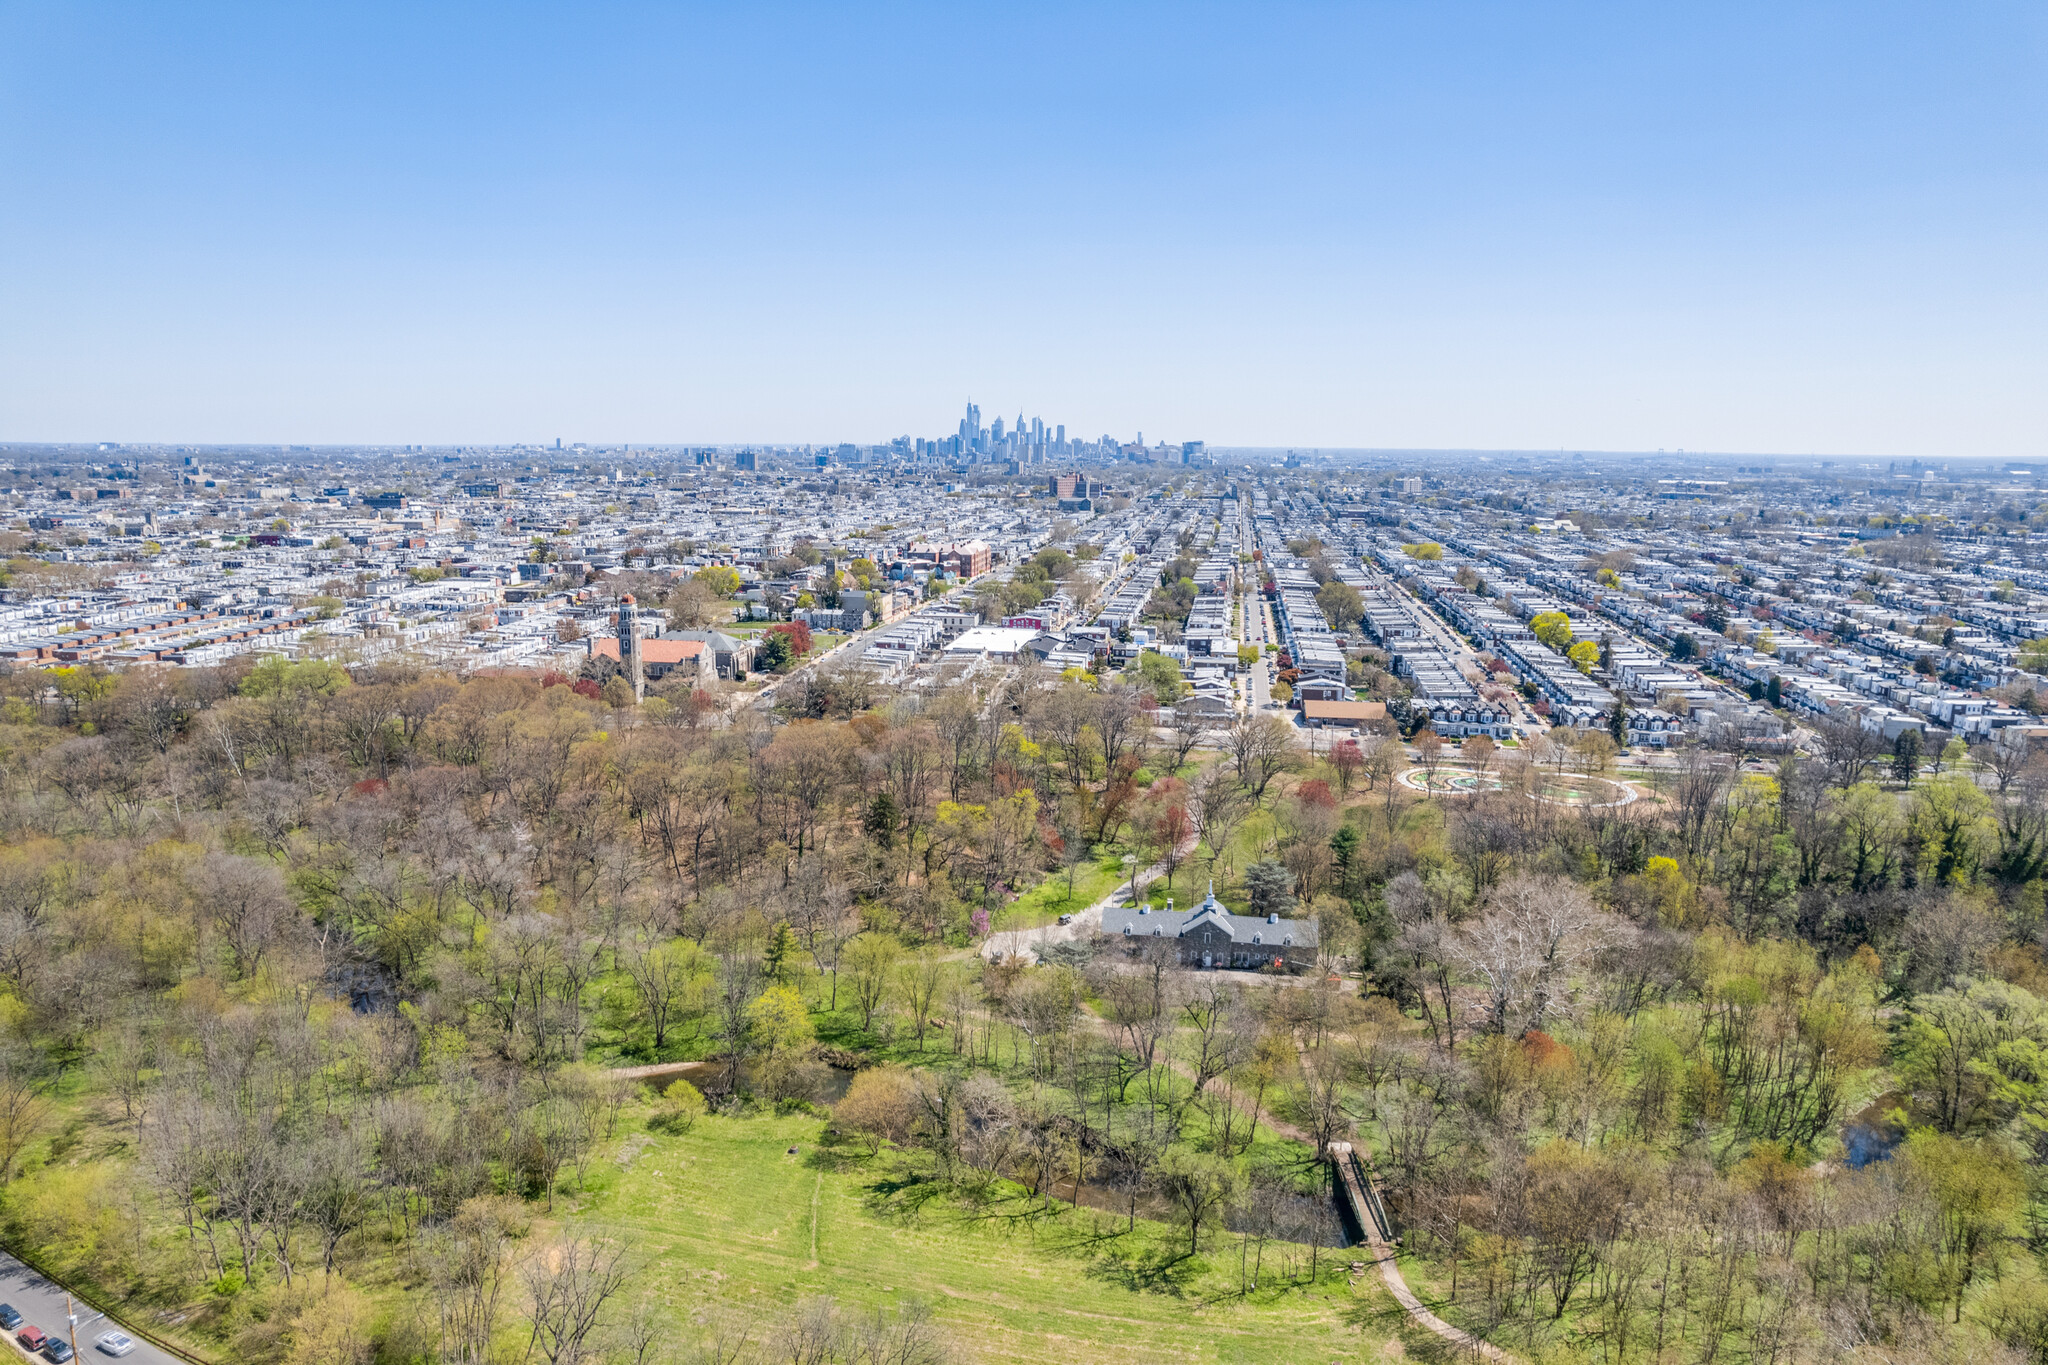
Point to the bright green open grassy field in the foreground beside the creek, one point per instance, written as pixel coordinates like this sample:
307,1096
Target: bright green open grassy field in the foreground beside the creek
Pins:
734,1225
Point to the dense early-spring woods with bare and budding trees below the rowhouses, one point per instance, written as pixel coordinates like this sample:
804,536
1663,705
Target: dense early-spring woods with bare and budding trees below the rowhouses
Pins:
314,983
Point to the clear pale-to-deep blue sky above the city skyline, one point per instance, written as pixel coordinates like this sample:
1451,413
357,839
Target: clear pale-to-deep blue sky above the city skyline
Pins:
1740,228
